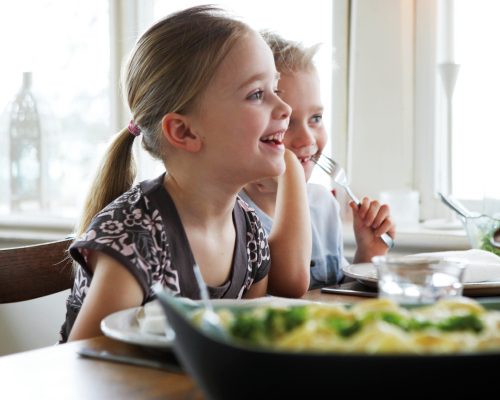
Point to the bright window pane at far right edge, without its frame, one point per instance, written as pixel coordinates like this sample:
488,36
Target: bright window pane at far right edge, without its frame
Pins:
476,101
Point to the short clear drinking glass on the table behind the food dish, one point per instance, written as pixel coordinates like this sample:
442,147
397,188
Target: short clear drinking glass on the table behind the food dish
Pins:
418,280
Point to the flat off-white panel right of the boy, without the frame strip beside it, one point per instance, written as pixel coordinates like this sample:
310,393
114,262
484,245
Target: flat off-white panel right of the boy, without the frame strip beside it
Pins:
379,147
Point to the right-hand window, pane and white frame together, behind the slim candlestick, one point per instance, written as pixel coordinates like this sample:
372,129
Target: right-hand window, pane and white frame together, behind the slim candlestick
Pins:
463,33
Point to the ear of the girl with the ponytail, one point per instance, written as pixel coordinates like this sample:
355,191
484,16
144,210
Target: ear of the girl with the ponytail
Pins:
178,133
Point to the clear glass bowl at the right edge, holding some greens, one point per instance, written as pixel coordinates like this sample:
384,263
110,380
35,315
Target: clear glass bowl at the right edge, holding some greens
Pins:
480,230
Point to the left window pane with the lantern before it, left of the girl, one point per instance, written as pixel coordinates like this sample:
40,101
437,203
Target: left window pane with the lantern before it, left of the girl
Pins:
64,44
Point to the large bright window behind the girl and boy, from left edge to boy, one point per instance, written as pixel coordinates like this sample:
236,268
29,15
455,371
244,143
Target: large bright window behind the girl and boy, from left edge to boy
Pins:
74,52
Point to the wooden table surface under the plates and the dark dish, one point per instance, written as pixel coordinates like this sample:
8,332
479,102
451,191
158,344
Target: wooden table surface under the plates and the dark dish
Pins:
58,372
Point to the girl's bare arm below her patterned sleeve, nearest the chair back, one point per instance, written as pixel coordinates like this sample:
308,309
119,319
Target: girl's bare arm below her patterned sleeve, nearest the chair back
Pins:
113,288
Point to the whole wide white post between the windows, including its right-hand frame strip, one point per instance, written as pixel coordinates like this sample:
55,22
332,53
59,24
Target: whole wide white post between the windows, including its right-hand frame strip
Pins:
401,149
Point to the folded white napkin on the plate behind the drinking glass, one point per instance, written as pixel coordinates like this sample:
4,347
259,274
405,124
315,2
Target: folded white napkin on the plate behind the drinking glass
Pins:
481,265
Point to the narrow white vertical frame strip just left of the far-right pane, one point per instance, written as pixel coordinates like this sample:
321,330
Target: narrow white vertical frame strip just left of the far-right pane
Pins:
432,147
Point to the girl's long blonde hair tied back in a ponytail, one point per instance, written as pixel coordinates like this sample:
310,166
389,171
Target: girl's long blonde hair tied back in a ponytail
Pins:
170,66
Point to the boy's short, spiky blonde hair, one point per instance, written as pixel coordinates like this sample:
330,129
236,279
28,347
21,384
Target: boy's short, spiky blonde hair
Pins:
290,56
